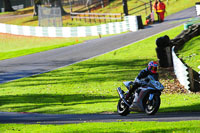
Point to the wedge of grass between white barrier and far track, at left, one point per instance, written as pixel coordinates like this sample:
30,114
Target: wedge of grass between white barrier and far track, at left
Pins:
14,46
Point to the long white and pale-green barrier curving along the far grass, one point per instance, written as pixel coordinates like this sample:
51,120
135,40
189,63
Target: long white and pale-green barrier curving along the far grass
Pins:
130,23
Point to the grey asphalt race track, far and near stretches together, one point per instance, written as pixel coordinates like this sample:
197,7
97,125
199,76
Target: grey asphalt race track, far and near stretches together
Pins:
25,66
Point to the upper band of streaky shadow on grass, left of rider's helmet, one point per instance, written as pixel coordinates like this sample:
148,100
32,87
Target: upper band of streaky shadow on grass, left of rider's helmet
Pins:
87,72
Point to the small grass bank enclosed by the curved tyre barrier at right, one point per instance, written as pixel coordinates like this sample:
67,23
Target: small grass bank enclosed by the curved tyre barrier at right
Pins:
190,53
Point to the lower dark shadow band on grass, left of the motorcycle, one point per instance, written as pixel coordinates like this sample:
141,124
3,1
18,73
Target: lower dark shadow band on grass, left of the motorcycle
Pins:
26,103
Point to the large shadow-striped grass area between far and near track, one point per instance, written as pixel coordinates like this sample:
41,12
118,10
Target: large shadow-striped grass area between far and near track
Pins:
88,86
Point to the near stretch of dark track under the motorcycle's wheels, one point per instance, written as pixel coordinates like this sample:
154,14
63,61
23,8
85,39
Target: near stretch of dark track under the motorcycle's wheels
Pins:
33,118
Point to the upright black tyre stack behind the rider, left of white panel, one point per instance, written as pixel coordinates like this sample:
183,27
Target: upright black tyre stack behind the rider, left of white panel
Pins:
163,51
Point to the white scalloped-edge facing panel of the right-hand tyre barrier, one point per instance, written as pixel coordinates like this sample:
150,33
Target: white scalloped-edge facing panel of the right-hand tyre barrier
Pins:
180,70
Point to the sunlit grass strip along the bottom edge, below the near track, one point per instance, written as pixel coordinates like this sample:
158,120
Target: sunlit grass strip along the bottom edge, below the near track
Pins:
139,127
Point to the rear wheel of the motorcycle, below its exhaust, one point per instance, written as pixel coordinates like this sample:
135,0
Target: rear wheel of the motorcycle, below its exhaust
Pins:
122,108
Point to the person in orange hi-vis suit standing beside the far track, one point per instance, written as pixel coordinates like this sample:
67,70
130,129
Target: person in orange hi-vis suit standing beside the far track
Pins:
161,10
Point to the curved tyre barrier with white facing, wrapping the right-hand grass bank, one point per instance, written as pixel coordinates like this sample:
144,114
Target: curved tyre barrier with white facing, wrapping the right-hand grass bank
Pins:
188,77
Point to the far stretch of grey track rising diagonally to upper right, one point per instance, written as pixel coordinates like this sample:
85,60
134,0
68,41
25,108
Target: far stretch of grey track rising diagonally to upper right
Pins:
25,66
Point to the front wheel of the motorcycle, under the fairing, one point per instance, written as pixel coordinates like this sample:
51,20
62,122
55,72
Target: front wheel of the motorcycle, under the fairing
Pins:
152,106
